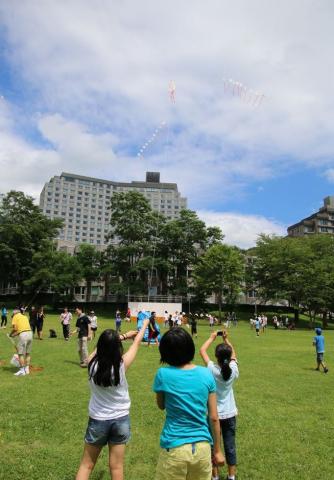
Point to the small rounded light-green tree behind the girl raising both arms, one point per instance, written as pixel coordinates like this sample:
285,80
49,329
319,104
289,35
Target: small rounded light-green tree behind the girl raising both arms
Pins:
221,270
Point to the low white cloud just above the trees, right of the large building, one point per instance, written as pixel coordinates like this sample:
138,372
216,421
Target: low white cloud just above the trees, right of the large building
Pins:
242,230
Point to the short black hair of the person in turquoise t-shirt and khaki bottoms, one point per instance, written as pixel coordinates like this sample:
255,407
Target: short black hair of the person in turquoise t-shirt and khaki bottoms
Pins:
176,347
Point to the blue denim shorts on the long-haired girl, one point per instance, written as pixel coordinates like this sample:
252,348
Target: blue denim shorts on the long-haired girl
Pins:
115,432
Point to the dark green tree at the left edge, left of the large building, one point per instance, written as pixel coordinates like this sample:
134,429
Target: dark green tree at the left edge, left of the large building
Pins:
23,230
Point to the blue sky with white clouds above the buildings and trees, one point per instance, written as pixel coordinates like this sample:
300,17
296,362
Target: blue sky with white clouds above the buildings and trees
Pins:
85,84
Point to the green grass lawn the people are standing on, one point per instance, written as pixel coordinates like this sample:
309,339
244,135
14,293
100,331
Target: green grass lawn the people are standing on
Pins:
285,423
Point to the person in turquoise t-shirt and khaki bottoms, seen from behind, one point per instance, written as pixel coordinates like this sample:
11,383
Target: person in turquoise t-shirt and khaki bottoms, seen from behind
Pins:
187,392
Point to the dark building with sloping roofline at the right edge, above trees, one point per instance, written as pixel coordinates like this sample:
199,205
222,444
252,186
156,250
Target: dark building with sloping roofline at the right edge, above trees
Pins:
319,222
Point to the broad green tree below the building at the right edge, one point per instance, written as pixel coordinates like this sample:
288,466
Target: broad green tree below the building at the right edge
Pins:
299,270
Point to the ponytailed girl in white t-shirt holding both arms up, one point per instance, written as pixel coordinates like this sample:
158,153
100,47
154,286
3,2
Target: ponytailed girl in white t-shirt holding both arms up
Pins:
224,373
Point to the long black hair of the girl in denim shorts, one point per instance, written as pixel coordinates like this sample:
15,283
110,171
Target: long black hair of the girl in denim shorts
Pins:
104,366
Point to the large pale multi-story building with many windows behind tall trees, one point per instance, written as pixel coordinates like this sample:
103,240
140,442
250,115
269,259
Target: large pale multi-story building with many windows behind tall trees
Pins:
83,204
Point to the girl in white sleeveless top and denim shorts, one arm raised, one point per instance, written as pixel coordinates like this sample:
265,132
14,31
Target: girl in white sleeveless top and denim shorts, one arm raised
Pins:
109,404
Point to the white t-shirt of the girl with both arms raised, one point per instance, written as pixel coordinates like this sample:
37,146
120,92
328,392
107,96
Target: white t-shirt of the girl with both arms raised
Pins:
225,397
